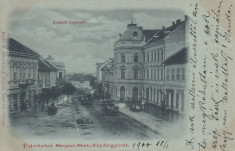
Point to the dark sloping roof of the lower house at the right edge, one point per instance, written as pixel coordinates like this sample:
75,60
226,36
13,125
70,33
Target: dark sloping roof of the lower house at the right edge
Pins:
180,57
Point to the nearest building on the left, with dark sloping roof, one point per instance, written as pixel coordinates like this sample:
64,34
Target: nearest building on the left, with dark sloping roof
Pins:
23,66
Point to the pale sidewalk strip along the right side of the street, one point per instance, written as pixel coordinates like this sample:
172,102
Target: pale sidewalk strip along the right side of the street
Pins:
165,128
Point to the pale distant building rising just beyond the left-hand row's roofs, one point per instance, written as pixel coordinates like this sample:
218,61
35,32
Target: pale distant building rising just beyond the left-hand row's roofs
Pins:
60,66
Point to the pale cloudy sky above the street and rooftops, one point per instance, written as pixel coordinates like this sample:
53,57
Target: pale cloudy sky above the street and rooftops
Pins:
81,46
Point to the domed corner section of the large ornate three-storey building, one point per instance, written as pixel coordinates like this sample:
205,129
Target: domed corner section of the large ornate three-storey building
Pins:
129,63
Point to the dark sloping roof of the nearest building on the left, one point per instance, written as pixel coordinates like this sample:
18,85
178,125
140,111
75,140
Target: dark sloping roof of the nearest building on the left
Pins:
17,49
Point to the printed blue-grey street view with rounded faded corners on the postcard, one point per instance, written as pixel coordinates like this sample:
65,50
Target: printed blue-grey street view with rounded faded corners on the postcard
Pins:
109,76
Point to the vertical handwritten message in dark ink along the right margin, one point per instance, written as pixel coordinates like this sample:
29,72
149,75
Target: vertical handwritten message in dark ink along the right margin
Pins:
210,68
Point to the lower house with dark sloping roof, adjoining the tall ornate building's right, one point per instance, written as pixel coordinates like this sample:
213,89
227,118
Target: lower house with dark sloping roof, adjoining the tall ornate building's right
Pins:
175,80
